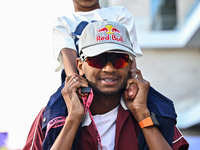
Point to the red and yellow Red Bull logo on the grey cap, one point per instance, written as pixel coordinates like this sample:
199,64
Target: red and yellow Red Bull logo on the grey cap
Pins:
109,29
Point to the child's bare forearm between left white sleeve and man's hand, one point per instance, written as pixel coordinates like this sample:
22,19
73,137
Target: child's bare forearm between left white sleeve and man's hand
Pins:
69,61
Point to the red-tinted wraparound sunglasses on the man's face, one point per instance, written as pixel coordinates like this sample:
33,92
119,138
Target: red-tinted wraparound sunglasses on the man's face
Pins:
118,60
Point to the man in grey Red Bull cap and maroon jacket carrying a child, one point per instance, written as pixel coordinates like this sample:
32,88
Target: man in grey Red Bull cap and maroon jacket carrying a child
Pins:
103,119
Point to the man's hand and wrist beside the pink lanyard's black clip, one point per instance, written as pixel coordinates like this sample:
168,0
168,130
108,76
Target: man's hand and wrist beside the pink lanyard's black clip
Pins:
73,86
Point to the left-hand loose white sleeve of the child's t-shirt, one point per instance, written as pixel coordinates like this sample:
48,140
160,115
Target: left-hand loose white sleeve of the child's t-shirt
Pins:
62,38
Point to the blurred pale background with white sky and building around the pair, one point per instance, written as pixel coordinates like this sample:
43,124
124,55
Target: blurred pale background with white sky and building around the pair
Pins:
169,35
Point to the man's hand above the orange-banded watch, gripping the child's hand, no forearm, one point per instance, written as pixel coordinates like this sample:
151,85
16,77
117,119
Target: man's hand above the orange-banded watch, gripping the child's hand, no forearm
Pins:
135,95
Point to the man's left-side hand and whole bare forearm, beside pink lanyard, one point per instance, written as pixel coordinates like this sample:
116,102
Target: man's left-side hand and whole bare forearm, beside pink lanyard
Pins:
75,112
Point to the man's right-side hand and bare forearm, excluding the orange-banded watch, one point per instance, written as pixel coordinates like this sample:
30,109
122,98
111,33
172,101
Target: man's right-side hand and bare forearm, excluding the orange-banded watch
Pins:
138,107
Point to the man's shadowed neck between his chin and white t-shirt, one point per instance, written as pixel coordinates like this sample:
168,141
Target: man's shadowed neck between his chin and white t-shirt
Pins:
102,104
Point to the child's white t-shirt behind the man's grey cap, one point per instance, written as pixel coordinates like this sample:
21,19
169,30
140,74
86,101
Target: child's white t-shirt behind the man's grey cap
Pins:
65,25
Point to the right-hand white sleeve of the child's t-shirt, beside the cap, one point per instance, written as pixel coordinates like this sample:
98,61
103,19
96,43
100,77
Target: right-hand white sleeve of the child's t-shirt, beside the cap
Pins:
126,18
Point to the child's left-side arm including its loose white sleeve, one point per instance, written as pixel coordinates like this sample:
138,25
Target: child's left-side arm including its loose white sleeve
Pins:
63,46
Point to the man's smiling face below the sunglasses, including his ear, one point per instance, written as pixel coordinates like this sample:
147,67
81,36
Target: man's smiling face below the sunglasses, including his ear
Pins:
106,81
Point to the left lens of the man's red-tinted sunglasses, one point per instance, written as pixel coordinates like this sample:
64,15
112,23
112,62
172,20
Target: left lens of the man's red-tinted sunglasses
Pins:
97,61
